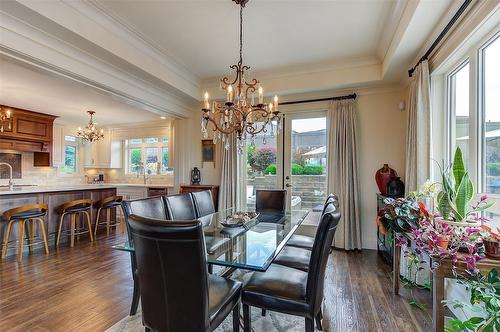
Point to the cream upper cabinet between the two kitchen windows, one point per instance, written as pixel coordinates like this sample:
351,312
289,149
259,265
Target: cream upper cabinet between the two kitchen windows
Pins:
106,153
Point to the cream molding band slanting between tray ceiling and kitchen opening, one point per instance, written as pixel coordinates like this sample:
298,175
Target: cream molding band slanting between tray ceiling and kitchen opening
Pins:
108,34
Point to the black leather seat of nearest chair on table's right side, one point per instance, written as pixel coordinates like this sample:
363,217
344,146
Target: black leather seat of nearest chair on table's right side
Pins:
280,288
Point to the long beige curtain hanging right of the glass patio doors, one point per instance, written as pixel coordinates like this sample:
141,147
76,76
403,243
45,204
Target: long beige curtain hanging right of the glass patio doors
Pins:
343,171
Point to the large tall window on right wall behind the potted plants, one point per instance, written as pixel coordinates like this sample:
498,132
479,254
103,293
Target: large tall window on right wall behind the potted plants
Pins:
475,126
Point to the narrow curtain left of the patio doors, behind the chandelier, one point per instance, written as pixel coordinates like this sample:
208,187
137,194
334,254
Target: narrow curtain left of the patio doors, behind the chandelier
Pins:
228,158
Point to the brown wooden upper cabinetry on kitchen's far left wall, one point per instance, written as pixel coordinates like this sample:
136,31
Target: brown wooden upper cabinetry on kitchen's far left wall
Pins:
29,132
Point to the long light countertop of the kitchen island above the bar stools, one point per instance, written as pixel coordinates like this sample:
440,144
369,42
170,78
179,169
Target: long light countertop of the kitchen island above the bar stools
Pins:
27,189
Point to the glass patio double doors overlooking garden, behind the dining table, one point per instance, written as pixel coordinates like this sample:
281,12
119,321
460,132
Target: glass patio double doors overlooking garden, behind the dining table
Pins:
294,159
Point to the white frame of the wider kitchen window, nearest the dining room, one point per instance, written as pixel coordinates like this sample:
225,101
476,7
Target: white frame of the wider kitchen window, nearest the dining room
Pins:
143,146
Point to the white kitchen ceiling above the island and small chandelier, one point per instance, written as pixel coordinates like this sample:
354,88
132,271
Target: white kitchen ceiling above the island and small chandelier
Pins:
37,90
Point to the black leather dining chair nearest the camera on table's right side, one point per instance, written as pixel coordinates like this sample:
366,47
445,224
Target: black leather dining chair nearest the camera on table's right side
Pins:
291,291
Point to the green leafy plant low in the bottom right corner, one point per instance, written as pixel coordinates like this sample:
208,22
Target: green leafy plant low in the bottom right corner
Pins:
484,304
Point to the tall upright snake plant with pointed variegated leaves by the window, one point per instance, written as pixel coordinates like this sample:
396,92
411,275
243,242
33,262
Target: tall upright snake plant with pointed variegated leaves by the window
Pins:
457,192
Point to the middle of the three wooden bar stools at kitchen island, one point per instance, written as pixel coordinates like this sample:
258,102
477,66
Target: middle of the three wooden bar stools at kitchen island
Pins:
74,209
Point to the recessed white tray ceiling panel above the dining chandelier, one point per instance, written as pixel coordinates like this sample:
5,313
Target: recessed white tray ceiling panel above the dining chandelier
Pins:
203,35
